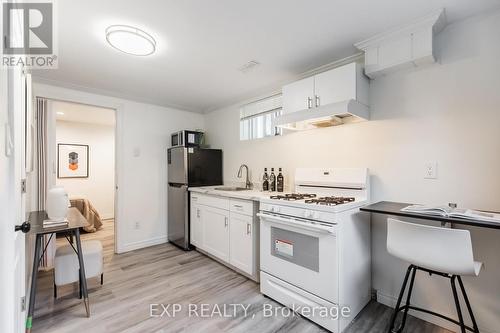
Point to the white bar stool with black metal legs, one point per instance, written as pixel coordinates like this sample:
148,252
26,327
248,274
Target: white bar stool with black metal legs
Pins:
435,250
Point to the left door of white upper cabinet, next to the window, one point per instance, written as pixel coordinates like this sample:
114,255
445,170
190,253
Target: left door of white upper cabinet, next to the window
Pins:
296,95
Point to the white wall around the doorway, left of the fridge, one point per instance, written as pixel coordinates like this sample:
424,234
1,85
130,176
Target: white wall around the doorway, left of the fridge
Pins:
141,180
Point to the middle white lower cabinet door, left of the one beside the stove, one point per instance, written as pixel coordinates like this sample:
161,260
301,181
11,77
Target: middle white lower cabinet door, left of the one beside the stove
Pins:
215,223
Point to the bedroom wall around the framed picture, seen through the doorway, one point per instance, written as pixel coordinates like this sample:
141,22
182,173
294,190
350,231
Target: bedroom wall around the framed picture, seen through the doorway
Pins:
99,187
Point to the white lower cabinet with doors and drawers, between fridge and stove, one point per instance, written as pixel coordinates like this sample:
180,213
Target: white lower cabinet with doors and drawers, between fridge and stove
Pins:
226,229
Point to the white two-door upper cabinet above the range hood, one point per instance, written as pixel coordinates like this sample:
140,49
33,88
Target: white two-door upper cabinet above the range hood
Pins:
336,85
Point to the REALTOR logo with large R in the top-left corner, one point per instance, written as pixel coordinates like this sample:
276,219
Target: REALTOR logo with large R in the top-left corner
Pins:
28,34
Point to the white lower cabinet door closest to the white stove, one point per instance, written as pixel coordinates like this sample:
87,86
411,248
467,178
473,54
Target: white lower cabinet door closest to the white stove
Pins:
241,249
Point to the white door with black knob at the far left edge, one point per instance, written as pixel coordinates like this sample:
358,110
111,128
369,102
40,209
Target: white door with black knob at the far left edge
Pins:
12,200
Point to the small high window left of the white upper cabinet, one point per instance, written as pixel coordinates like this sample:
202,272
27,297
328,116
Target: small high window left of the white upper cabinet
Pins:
256,119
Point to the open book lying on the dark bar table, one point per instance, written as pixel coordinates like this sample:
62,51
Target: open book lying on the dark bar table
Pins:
446,211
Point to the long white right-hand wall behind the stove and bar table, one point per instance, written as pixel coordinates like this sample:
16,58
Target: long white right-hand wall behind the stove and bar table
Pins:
448,113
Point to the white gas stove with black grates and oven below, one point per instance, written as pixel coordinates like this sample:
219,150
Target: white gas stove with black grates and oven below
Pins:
313,243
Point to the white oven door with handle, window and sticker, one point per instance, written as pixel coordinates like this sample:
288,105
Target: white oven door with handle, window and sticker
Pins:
300,252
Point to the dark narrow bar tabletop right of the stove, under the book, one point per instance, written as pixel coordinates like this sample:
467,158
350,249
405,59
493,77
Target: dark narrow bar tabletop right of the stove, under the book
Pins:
394,209
